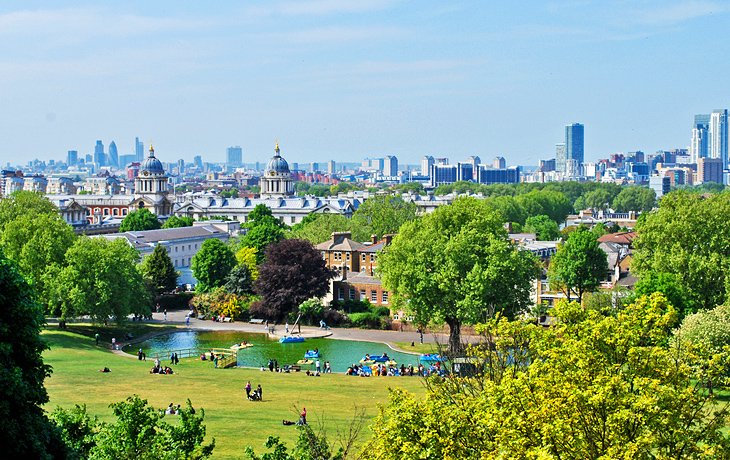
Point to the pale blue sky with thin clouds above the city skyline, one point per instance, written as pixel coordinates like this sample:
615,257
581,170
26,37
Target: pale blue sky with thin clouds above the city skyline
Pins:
350,79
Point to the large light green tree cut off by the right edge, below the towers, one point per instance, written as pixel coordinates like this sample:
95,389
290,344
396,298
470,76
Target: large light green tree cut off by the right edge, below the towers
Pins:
687,237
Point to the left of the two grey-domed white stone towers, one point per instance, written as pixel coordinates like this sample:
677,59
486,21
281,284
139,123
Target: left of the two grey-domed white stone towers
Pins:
150,187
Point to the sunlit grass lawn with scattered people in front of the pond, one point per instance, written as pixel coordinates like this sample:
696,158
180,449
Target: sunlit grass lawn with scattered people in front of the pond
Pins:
229,417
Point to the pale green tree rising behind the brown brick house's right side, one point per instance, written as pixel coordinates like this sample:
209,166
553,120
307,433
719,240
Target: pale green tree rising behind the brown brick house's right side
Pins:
381,215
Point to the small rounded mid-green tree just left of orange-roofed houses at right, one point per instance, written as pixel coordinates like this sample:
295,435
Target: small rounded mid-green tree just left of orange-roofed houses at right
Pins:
579,265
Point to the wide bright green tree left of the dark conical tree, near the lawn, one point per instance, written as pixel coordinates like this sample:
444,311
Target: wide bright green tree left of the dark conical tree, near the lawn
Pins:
100,279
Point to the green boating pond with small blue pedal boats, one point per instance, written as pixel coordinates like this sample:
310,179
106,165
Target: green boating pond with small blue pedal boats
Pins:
340,353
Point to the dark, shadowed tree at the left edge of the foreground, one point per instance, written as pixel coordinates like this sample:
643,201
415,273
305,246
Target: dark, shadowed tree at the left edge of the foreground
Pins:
26,432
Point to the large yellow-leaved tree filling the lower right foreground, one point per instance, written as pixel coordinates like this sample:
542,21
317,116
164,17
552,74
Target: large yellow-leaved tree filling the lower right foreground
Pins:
593,386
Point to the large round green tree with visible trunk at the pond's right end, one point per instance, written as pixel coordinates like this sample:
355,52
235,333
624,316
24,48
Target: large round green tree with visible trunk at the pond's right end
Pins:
457,266
